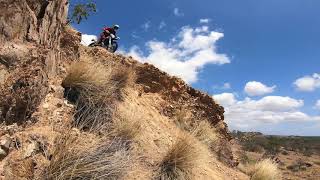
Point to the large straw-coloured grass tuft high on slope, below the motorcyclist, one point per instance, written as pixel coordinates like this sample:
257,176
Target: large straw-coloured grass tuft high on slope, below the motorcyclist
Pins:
94,88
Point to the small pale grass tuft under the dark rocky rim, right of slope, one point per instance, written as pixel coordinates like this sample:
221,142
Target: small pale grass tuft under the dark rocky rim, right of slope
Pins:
206,134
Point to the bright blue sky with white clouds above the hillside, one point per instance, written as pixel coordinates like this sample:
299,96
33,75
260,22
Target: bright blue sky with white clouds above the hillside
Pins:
260,59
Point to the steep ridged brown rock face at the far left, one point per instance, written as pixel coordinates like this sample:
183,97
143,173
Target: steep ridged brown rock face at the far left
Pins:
30,33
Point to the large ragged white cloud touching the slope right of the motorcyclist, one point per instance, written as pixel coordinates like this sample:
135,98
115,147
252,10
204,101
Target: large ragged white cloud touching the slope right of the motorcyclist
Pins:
185,55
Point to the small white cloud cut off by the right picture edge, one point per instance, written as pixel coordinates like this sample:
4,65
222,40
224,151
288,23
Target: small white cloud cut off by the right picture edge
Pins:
308,83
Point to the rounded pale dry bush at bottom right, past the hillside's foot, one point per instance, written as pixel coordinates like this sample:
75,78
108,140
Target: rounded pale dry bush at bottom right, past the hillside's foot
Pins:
265,170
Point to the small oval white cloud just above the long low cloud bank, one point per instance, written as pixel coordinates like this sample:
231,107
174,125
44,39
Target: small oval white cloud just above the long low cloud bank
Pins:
254,88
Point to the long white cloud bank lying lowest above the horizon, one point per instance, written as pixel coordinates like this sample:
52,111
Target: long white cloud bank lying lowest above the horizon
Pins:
249,113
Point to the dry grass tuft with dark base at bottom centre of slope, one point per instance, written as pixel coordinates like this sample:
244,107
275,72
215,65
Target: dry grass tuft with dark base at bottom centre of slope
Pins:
181,159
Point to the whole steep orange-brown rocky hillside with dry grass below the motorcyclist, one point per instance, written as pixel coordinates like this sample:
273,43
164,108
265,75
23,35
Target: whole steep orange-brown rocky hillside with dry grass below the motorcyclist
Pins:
73,112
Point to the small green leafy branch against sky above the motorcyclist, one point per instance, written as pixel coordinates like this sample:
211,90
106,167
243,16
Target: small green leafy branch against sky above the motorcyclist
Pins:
81,11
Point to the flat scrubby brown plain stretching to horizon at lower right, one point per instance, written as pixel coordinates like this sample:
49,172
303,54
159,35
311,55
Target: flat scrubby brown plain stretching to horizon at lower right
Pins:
298,157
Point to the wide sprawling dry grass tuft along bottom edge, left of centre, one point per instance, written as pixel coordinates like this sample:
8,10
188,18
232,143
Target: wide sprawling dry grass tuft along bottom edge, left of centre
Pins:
99,160
